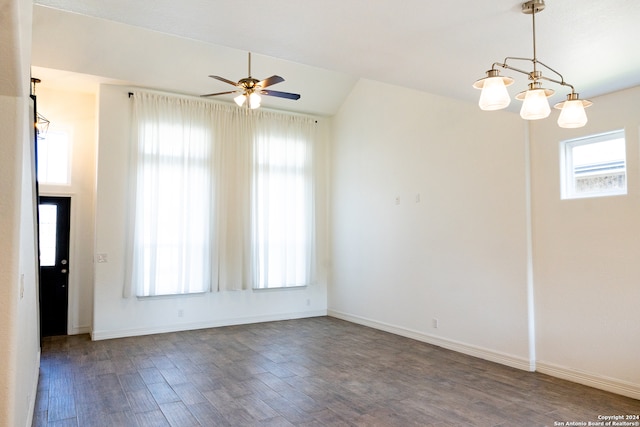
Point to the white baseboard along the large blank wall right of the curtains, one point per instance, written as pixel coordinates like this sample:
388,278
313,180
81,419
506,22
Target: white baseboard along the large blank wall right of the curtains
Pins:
471,350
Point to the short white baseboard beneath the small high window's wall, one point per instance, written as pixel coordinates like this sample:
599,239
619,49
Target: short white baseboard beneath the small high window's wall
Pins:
613,385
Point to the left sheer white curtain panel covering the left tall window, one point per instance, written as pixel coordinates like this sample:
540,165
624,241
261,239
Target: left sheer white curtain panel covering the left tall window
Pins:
173,156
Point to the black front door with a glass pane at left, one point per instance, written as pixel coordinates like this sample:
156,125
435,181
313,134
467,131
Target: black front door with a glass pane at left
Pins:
54,222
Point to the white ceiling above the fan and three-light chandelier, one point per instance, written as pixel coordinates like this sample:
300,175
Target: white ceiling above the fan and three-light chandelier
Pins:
441,48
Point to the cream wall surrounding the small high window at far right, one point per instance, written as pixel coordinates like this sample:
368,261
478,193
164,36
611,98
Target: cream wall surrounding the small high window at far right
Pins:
587,252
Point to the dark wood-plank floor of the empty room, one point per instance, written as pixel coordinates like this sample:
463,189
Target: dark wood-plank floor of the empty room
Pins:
310,372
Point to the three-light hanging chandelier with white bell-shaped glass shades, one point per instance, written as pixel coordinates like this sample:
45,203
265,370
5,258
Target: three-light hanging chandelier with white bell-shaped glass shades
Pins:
535,105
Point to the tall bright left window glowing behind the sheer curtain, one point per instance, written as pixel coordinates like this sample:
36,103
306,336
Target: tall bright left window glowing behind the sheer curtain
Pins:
173,211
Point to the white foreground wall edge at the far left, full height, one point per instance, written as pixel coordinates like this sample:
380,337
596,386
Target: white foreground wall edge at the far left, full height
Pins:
19,331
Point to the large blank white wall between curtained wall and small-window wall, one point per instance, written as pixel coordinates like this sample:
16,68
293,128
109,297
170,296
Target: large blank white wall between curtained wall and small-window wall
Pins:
460,253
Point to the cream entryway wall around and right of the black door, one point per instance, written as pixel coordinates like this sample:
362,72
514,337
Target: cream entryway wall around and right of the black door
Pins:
75,114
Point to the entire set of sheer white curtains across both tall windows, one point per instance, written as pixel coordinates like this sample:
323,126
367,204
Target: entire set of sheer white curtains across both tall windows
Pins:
221,198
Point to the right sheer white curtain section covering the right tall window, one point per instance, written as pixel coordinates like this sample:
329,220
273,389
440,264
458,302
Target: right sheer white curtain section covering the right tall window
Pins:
283,201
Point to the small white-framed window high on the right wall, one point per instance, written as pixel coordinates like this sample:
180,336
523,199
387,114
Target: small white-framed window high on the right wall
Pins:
594,166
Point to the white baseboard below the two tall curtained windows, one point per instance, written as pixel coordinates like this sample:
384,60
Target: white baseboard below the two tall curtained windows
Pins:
122,333
